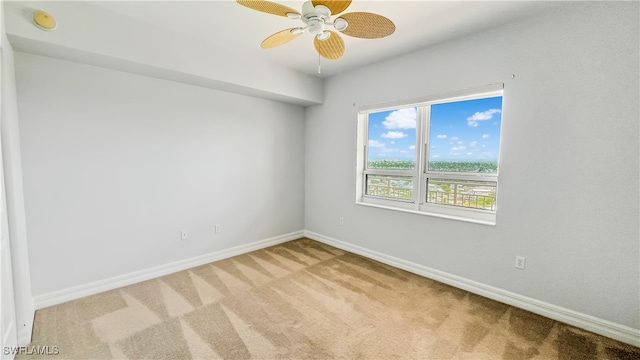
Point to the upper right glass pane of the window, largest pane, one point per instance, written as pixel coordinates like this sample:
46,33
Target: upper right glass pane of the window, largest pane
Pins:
464,136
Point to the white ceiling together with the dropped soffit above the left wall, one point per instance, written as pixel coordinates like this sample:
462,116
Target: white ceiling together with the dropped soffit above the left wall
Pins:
220,40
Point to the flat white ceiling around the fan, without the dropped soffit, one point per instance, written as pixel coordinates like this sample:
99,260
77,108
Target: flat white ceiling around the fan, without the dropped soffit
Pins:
238,30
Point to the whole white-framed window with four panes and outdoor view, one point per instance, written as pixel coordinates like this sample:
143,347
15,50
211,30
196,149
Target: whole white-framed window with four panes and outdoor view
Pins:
436,156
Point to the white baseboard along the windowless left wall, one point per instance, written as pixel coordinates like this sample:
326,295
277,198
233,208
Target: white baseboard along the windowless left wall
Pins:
76,292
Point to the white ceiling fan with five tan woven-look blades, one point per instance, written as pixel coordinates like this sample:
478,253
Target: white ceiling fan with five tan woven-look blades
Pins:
316,16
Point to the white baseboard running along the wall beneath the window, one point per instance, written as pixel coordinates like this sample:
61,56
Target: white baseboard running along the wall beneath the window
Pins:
591,323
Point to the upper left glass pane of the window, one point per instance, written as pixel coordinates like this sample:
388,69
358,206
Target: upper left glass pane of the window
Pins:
392,139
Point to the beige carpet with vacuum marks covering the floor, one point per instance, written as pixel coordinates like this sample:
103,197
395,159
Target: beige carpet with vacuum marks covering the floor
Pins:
305,300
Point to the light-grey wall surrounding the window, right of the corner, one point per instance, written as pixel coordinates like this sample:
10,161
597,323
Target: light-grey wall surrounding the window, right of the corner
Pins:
568,193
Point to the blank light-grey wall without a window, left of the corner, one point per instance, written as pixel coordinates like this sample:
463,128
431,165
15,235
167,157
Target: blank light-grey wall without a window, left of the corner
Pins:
116,164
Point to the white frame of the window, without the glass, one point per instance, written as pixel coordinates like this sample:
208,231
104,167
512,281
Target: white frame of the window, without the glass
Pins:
420,173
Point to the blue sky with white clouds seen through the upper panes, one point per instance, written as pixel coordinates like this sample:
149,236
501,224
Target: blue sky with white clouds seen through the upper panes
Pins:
460,131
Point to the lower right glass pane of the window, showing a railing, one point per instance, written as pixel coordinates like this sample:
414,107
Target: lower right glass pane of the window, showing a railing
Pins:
463,193
